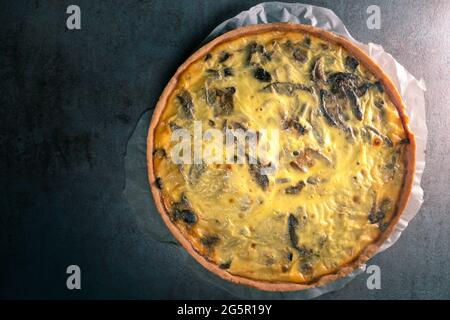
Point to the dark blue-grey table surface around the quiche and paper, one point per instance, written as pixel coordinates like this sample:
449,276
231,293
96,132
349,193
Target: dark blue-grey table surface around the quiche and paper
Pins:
70,101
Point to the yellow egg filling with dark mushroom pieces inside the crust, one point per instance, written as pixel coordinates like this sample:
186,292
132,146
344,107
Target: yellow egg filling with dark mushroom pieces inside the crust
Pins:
349,175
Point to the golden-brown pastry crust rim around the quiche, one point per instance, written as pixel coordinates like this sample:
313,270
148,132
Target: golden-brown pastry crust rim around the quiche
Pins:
163,205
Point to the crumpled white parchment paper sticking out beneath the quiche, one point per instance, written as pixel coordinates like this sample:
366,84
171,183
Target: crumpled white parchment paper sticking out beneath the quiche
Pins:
137,190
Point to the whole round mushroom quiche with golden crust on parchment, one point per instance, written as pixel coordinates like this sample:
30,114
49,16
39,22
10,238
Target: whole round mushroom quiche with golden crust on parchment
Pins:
338,183
